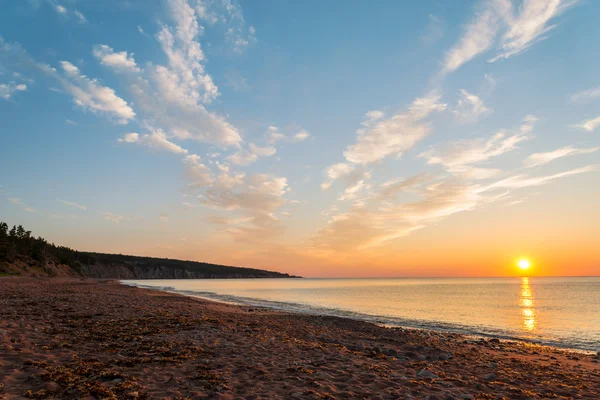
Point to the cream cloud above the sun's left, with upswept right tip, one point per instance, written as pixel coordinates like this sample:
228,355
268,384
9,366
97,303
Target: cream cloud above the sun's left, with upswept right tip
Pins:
458,156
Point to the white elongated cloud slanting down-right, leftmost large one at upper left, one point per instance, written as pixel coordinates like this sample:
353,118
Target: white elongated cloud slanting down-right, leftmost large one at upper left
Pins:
89,94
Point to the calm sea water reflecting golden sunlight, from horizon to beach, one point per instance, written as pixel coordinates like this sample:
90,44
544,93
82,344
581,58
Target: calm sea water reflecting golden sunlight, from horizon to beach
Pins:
562,312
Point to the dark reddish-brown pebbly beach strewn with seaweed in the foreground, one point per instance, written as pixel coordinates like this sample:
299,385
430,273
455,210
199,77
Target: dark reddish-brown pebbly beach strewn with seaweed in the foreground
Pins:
96,339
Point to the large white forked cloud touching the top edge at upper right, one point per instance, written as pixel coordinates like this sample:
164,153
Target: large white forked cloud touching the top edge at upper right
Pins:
515,28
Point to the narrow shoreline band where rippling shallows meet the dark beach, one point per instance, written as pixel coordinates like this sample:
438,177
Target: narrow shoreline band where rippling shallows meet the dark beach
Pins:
296,308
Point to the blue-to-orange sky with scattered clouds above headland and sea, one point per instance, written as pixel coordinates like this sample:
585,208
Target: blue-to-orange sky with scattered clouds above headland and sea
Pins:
322,139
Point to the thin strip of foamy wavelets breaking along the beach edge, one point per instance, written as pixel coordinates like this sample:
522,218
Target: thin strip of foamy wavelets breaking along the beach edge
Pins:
467,330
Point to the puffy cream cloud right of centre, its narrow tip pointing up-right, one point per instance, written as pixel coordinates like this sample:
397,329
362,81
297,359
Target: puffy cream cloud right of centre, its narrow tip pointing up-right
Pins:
380,138
